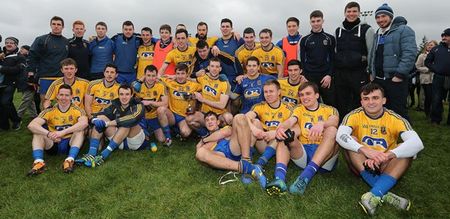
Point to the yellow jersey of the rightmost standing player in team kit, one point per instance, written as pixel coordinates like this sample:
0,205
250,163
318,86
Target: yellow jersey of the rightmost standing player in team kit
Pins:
269,59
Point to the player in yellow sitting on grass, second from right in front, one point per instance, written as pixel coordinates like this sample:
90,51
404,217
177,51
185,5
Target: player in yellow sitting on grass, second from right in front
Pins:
313,148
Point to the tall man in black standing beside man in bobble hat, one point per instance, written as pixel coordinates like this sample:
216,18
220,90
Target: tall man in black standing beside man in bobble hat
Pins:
354,40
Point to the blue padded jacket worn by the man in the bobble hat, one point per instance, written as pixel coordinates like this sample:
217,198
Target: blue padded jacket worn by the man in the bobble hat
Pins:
400,50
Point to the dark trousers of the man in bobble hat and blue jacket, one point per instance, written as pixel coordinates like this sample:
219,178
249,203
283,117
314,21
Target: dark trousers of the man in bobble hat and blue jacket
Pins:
396,94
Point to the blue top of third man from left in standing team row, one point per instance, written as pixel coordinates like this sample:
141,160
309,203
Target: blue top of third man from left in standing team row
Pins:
101,52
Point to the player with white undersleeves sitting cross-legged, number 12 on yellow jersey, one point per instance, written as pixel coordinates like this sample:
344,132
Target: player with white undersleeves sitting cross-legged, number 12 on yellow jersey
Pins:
369,135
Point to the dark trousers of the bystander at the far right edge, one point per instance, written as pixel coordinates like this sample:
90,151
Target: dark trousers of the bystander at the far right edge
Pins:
439,89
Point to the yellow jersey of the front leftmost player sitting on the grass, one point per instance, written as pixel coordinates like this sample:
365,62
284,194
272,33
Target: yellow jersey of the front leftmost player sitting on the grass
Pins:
56,120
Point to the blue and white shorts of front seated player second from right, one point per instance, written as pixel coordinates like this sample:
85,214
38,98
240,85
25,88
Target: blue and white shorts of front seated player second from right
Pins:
309,150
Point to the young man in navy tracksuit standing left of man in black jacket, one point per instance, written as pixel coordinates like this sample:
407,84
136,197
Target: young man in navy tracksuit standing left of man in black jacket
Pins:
317,57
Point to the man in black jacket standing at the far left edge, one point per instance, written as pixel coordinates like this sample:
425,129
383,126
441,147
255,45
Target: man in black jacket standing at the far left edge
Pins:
11,66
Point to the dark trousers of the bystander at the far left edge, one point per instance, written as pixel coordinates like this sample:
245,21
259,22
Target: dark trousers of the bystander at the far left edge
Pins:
7,109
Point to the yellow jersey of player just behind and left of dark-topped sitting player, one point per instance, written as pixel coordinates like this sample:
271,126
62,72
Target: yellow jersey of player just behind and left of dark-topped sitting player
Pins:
102,95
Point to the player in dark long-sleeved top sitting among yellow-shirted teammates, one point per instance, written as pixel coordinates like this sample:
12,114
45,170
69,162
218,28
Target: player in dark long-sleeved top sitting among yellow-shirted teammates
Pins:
120,123
